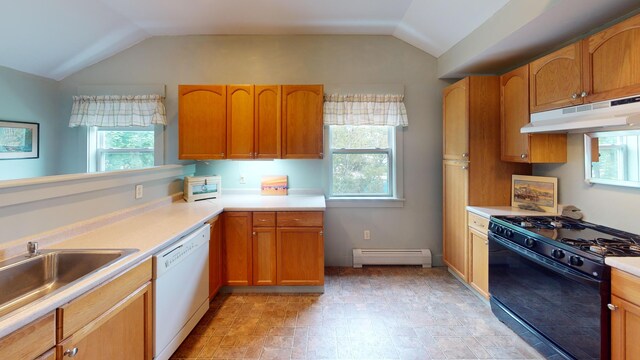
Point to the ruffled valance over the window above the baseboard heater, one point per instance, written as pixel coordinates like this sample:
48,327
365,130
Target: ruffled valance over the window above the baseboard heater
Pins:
365,109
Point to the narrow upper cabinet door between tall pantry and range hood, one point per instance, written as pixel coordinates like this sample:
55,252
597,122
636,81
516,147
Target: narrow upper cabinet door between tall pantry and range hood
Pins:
514,114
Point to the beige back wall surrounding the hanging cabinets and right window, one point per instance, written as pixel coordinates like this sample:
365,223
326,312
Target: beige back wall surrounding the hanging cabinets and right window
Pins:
306,59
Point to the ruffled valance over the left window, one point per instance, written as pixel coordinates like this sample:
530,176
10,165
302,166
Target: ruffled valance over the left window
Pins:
117,110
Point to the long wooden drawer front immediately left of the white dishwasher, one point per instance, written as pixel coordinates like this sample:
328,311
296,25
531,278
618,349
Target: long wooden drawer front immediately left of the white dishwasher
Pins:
79,312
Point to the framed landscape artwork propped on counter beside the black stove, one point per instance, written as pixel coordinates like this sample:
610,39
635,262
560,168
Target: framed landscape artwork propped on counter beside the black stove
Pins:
536,193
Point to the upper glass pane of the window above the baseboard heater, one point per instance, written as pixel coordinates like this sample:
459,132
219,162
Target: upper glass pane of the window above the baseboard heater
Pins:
360,137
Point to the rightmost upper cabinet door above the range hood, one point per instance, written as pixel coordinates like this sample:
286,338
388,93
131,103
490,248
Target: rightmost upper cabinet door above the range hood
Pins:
612,61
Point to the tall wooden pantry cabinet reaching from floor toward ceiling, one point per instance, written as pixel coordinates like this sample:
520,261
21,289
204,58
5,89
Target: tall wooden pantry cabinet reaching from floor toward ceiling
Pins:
473,173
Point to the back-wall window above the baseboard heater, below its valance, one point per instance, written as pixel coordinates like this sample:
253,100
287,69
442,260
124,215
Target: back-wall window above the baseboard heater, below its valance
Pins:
362,161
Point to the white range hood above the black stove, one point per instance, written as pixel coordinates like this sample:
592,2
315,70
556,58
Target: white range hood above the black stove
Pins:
605,115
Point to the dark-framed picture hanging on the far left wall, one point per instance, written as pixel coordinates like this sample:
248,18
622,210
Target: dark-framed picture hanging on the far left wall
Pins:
19,140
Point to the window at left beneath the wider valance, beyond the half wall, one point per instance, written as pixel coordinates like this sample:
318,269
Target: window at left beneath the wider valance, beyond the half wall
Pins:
123,148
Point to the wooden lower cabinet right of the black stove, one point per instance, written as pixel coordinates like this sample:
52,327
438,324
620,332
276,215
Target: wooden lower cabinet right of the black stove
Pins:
625,315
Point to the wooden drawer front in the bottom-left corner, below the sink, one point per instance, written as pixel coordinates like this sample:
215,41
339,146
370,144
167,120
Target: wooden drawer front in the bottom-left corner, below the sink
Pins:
31,340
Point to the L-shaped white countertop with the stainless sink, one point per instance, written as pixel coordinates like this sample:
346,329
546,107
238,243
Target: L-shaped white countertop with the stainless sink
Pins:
149,232
